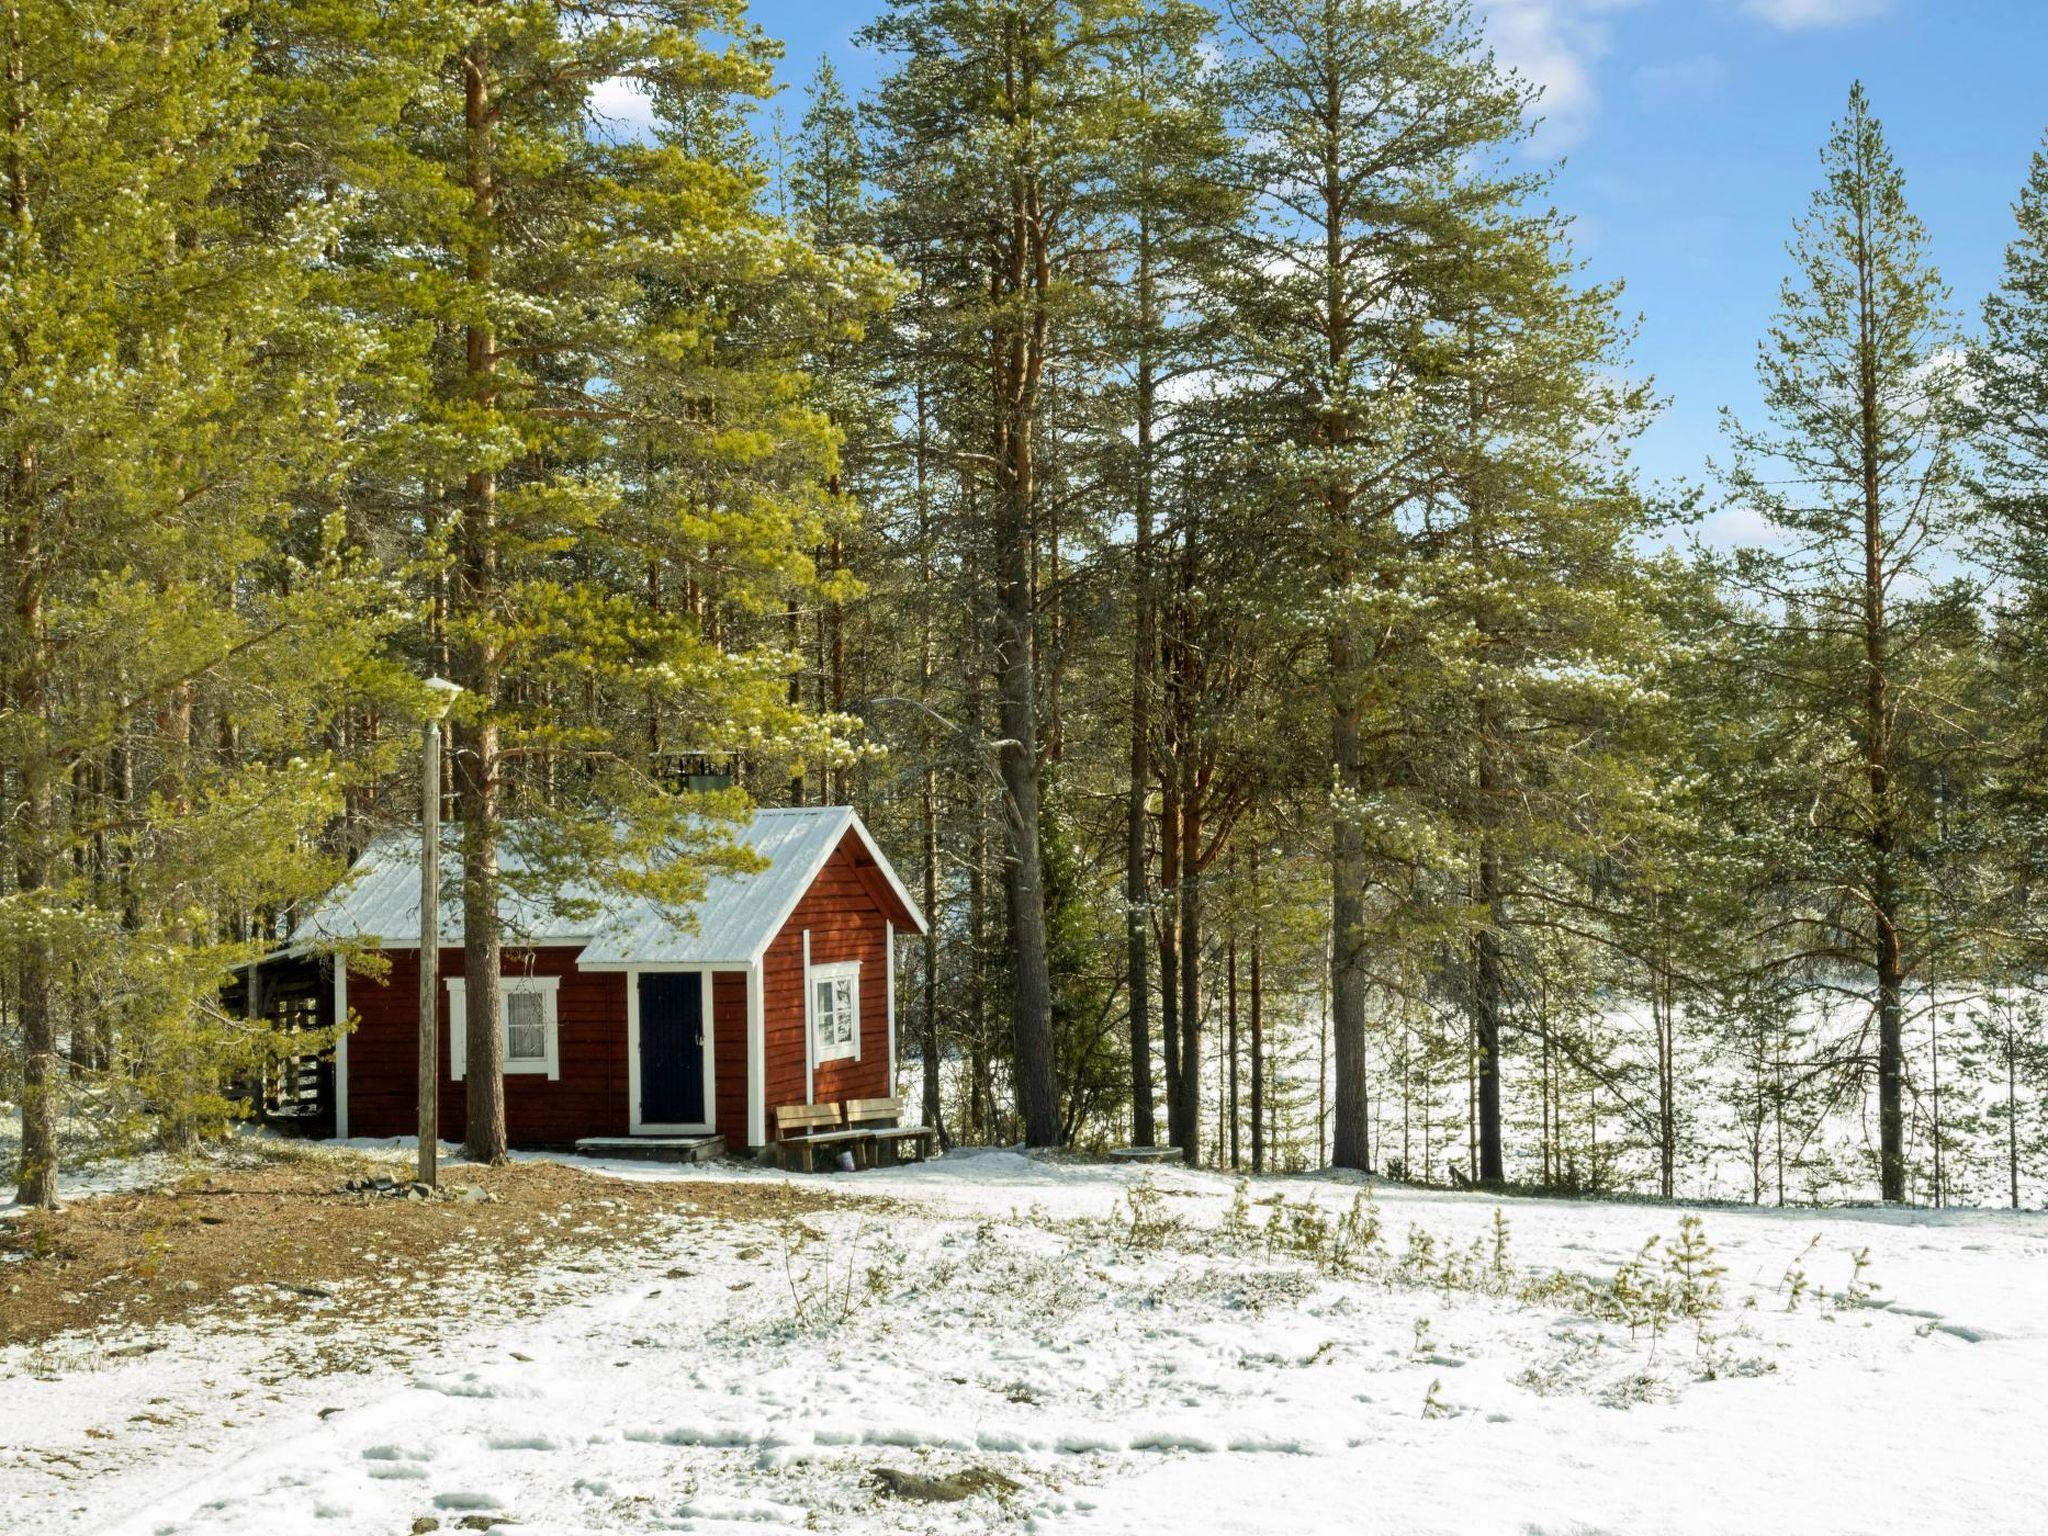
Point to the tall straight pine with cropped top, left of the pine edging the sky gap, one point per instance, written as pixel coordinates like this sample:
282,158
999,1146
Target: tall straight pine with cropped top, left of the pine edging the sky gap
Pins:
1373,128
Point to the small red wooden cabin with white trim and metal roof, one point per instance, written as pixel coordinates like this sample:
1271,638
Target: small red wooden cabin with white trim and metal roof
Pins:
775,988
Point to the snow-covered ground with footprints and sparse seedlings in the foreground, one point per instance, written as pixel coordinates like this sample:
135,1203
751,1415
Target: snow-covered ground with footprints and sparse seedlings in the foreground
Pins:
1132,1355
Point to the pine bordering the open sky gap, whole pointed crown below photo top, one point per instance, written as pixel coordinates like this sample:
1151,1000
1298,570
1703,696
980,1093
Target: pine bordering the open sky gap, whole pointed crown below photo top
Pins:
1535,611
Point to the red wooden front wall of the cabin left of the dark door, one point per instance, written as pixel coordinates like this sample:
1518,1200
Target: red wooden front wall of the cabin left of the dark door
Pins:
587,1101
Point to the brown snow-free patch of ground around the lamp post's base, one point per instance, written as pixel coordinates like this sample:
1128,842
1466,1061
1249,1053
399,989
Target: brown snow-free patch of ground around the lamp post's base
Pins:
286,1238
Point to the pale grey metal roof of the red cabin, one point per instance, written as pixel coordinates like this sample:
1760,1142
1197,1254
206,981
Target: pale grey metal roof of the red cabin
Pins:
732,925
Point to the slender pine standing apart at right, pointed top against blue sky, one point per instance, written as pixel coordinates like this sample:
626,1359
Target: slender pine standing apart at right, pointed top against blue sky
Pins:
1863,478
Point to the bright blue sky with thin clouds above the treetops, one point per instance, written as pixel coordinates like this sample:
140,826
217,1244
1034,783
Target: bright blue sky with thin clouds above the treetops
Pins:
1691,134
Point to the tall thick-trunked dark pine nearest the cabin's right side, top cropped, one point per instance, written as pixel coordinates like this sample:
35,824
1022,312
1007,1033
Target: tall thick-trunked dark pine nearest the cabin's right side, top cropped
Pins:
1009,114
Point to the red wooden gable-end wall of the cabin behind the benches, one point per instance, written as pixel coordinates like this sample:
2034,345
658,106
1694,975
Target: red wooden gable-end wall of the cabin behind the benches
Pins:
847,923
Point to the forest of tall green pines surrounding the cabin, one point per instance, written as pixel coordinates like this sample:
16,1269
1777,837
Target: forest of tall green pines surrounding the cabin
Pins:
1166,470
